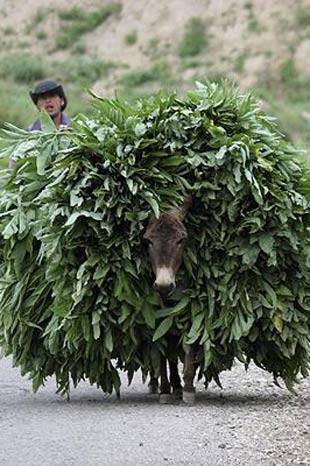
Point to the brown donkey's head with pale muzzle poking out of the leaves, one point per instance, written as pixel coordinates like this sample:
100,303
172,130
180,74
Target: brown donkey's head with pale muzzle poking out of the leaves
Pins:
165,236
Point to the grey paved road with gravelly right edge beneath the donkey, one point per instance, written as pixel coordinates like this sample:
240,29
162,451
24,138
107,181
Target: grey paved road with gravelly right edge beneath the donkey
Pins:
250,422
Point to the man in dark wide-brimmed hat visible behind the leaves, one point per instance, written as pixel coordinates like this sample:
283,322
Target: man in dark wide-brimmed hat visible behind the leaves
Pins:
49,96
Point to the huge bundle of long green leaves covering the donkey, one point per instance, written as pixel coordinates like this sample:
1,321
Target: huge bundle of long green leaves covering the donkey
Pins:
77,298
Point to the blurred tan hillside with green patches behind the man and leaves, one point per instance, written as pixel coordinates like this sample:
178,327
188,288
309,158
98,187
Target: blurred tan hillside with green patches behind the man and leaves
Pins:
136,47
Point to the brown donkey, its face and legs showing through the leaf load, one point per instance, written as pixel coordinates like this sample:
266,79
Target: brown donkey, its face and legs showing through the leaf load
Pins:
165,236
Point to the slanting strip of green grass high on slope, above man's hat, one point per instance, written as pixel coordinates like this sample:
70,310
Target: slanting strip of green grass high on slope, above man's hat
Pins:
79,22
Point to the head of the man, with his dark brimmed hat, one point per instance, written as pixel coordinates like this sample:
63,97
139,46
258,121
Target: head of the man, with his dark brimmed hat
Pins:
49,96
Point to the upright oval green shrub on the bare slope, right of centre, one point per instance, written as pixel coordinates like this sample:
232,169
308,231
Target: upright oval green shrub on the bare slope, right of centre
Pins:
194,40
